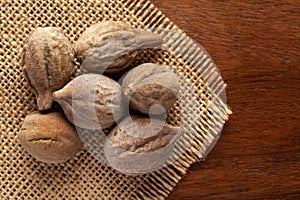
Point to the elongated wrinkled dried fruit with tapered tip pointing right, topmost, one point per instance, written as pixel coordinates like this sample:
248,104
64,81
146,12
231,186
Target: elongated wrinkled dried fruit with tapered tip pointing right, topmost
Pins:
111,46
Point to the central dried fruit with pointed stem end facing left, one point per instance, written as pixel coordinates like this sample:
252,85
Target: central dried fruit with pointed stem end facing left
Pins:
91,101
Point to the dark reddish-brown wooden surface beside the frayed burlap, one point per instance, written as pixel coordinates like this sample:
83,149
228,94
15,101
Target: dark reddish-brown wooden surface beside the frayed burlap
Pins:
256,45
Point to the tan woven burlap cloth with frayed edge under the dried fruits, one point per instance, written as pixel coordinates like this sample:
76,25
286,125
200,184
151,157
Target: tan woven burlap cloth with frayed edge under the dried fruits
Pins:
84,177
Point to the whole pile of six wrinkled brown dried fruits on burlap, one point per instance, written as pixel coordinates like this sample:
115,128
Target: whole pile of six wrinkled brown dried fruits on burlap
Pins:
94,101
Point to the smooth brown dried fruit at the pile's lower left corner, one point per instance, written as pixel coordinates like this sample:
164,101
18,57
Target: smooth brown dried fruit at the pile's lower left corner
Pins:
49,138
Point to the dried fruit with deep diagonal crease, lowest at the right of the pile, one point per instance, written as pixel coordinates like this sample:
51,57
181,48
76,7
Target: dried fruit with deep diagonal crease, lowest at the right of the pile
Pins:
140,145
